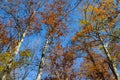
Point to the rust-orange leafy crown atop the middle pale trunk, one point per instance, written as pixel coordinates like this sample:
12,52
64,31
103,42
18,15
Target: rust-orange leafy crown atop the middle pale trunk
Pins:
55,17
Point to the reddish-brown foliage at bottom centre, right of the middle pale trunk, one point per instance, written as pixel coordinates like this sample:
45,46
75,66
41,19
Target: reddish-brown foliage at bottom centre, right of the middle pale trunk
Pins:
59,63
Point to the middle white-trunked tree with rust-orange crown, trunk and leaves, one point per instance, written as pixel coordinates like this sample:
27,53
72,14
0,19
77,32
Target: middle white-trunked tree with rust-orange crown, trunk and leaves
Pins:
55,22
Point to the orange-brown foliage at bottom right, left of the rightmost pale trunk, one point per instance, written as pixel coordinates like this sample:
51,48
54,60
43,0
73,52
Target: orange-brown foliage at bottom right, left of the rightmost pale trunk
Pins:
95,69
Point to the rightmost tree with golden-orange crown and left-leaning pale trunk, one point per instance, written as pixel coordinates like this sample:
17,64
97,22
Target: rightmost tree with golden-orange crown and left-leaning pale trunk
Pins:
98,24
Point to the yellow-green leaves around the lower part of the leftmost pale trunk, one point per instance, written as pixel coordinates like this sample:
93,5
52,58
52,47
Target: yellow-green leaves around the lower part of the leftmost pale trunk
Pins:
24,59
